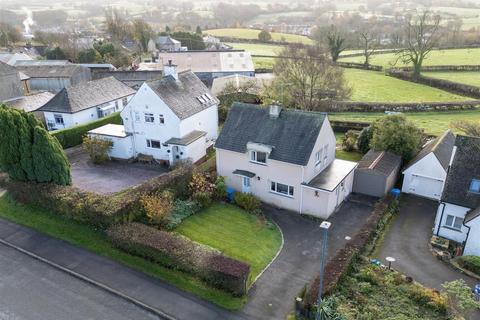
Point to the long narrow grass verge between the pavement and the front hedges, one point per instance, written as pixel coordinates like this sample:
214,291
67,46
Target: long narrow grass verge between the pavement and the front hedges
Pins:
95,241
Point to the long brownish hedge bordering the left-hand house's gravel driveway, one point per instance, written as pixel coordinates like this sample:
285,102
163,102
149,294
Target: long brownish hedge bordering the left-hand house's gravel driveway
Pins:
98,210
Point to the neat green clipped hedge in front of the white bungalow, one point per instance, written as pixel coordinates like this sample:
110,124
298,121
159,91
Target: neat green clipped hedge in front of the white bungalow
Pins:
73,136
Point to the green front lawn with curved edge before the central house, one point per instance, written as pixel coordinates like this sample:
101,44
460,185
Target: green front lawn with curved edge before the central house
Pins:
236,233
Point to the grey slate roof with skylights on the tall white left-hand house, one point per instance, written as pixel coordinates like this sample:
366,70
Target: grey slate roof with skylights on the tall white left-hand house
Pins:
181,96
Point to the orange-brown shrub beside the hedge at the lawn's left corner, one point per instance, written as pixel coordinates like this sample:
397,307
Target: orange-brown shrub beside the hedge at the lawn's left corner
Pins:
158,207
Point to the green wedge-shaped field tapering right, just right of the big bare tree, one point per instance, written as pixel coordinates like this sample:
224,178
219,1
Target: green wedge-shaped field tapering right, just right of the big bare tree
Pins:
376,87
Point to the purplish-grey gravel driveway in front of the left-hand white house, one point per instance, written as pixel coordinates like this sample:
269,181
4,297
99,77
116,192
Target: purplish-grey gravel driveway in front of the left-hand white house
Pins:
111,177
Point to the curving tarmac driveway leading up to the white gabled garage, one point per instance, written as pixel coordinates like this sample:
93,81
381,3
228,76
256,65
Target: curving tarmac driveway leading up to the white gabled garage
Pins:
408,242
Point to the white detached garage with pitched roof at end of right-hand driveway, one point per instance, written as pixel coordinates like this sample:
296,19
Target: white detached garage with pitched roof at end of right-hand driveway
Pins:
425,175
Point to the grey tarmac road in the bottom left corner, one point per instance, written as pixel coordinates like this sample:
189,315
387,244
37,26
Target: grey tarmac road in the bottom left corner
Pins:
30,289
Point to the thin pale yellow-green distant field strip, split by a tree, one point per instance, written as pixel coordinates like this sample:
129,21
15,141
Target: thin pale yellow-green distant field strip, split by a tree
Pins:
244,33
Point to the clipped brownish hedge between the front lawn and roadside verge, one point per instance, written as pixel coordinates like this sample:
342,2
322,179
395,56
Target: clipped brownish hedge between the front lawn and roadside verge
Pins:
177,252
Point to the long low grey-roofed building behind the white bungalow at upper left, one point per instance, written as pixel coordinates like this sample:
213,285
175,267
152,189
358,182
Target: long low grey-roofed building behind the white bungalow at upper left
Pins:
48,77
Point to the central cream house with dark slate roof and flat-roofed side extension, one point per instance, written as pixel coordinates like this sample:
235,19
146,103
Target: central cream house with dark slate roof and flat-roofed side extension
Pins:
284,157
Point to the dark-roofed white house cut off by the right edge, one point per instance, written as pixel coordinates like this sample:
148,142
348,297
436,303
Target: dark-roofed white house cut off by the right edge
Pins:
458,215
